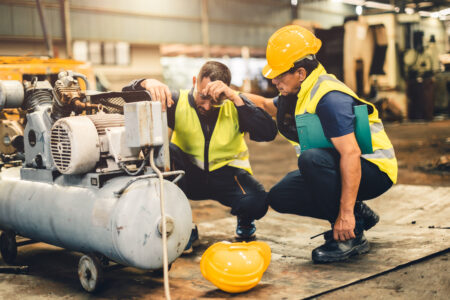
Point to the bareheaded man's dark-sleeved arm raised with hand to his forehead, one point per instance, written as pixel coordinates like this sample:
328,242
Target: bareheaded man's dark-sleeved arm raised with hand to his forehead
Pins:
254,120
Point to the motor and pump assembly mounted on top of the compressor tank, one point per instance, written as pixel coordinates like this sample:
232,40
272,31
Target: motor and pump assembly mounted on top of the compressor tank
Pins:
68,133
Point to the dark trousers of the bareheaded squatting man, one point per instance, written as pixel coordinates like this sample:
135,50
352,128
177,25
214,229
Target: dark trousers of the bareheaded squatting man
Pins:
232,187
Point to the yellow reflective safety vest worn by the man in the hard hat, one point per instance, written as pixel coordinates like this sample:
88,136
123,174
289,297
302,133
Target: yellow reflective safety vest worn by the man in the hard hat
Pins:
317,85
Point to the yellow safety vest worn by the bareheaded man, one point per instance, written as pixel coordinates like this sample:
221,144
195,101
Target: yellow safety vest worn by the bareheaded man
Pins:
227,145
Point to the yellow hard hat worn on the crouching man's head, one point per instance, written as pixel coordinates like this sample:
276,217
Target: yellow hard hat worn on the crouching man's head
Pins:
286,46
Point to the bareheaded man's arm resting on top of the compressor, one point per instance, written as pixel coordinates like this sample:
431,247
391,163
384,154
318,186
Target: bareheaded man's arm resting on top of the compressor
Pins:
159,92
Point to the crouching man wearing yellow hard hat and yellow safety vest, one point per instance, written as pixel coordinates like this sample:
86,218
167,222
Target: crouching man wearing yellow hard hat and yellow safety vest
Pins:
331,183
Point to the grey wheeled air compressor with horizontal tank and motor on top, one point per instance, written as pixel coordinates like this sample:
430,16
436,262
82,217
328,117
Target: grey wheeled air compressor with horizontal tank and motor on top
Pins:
91,178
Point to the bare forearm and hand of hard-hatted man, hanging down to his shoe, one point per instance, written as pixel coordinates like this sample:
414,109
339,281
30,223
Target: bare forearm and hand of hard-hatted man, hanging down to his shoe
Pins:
350,167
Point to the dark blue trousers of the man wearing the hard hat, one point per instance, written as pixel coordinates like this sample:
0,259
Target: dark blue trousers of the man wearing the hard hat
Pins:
315,189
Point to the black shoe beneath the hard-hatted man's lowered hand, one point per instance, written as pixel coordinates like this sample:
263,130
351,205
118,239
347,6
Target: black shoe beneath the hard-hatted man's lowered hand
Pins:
333,250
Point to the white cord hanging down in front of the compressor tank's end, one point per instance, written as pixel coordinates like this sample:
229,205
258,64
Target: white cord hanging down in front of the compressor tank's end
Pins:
164,232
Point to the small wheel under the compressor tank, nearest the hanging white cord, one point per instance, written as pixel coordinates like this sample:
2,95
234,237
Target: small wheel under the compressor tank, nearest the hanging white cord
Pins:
90,272
